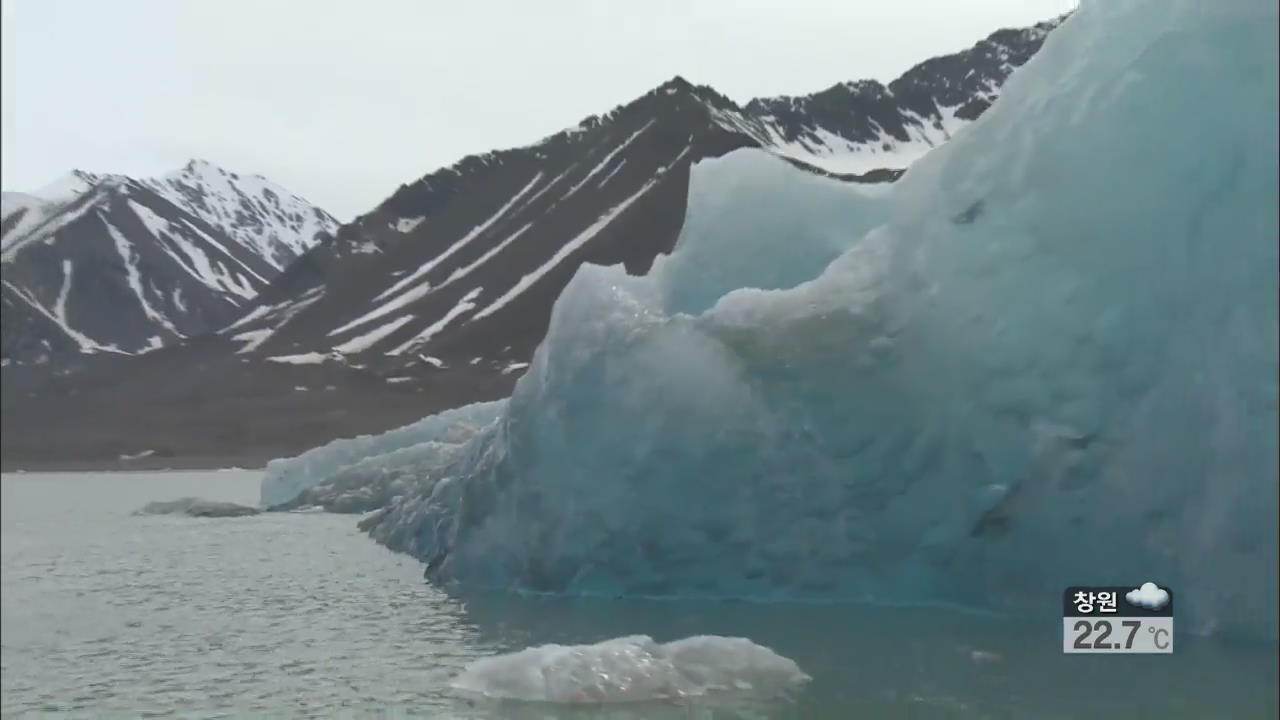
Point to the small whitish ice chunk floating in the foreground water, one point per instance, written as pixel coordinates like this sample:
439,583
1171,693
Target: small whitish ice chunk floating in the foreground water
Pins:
633,669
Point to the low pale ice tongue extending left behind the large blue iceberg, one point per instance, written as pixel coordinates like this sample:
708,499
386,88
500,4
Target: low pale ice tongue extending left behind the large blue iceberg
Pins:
351,461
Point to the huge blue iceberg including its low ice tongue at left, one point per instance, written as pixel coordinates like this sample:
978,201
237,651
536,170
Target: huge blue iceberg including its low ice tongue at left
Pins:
1045,357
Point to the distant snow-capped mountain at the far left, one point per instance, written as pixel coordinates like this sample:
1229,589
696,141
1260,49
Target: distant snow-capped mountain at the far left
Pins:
108,263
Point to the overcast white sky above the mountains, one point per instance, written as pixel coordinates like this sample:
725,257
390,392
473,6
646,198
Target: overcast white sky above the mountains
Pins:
341,102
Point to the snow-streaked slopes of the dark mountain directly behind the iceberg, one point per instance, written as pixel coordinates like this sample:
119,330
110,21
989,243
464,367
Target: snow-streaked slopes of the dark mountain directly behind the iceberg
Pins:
463,266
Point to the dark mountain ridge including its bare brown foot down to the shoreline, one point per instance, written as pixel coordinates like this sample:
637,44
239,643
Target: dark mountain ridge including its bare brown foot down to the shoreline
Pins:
440,295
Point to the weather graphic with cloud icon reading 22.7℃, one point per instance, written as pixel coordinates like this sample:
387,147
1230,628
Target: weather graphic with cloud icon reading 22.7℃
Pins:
1118,619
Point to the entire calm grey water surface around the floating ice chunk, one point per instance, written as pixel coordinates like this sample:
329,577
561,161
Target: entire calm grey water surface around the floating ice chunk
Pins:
301,616
